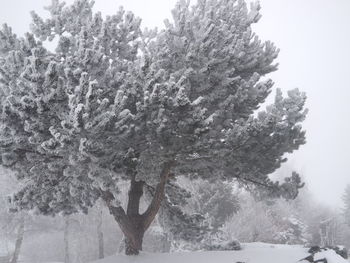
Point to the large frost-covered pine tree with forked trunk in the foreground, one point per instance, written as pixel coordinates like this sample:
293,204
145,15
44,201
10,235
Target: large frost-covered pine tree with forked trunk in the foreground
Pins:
113,103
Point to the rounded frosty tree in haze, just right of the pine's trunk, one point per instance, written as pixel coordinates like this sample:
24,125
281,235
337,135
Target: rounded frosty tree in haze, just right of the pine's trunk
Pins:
201,216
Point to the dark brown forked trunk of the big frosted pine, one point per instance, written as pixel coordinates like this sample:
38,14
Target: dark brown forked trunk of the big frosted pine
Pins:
132,223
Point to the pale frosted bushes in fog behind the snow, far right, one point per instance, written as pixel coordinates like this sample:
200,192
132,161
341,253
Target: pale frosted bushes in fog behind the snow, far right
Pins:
299,221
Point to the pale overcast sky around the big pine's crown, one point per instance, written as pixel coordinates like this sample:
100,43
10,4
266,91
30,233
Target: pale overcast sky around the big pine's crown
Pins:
314,38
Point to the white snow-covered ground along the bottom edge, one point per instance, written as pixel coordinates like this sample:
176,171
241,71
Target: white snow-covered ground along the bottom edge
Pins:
251,253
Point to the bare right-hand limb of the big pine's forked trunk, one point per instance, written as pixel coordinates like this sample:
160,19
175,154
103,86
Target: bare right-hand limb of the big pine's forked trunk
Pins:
158,197
